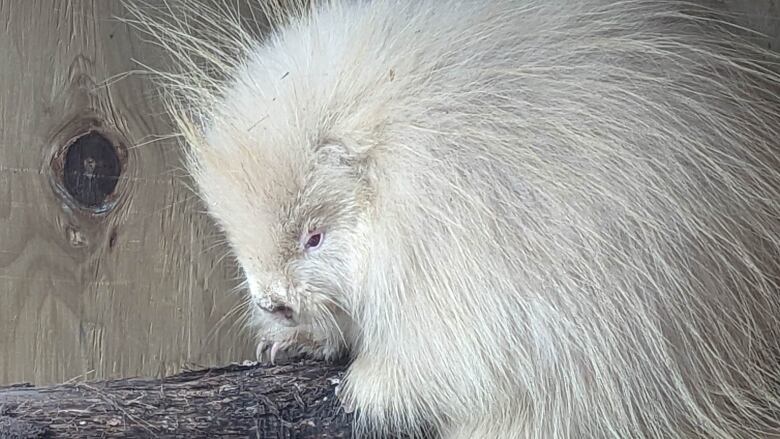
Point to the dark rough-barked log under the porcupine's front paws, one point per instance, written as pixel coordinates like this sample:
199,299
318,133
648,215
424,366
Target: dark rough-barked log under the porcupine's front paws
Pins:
291,400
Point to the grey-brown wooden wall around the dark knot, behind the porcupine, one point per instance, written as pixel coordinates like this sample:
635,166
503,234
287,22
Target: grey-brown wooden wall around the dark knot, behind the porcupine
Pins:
139,289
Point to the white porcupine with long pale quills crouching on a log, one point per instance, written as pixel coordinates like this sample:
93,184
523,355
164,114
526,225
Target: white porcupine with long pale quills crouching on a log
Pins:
521,218
